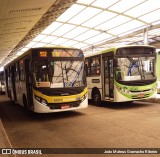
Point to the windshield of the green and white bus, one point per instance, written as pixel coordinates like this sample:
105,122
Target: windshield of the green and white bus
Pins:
135,68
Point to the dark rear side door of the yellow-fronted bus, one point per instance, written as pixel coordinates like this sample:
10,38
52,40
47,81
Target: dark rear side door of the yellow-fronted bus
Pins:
13,80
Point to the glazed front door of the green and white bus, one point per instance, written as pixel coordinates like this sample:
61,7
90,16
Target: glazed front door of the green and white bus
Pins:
108,77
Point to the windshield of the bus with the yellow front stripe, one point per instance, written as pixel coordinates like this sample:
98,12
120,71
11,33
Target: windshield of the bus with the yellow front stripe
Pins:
59,74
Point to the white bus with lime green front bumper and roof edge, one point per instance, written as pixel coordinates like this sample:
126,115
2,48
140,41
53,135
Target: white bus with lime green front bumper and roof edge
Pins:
120,74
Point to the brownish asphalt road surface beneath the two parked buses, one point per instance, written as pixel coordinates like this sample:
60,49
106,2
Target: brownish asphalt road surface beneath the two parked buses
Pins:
120,125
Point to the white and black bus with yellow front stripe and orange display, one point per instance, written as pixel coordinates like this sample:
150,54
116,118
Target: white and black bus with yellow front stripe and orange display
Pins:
49,79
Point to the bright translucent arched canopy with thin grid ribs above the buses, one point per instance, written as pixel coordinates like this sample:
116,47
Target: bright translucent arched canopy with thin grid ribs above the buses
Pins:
94,25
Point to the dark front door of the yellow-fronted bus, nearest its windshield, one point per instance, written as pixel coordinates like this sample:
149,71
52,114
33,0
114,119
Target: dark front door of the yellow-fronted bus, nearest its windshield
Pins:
28,83
